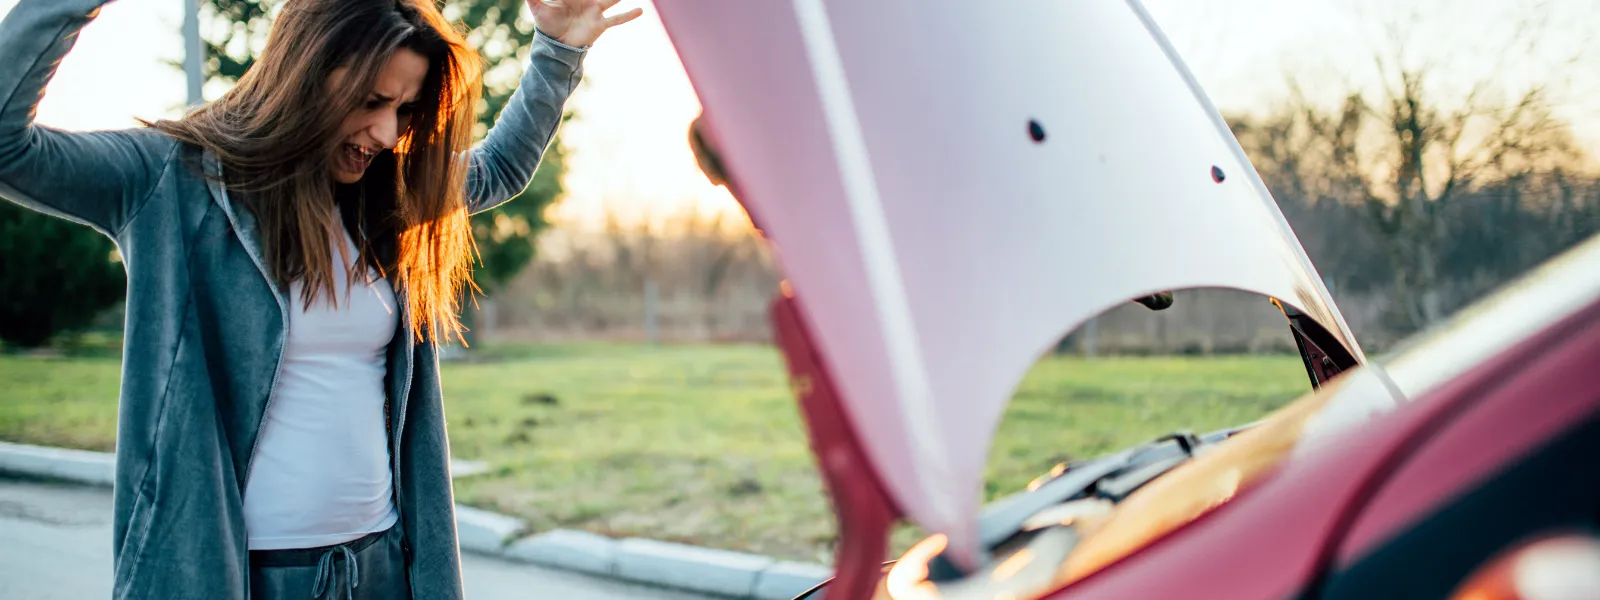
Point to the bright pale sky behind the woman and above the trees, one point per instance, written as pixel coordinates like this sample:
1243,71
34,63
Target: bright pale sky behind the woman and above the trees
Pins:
628,153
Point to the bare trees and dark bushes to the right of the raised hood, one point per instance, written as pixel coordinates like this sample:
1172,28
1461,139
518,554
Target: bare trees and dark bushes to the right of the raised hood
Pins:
1428,206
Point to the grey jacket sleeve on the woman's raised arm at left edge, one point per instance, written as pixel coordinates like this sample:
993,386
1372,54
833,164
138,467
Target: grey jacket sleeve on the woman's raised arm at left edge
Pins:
98,178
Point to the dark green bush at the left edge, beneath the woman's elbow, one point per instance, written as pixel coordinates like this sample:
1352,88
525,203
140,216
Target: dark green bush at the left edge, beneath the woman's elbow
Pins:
55,276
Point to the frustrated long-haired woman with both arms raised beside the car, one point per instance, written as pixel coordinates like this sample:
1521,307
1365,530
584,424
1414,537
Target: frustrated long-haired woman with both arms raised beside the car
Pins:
295,254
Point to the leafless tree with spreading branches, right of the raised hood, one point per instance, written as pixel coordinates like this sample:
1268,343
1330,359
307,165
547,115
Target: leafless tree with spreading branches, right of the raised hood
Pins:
1409,151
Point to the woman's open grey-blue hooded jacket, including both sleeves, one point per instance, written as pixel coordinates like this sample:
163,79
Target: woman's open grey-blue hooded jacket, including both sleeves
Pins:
206,324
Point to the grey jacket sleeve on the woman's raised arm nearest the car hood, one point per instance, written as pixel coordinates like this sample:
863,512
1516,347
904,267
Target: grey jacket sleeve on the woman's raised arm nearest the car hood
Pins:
505,162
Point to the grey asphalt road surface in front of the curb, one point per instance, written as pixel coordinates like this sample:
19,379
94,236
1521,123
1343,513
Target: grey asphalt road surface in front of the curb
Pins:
55,545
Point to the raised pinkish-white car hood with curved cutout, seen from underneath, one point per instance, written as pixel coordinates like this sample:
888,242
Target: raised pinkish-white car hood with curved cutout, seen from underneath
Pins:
951,190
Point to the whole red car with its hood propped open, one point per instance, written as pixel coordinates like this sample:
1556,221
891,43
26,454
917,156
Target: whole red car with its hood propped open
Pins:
950,191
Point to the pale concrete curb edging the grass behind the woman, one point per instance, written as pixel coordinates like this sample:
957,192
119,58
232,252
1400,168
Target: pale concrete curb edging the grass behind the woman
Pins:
690,569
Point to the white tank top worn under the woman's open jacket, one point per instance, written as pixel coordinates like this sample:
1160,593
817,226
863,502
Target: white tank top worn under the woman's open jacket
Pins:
321,473
